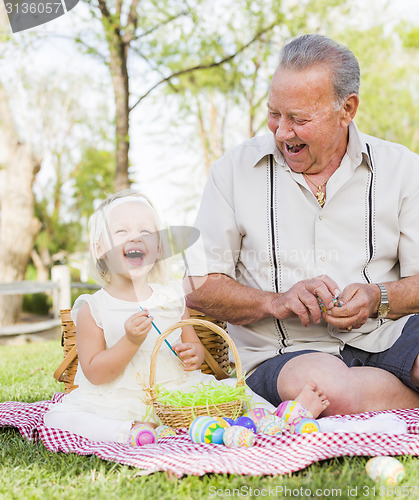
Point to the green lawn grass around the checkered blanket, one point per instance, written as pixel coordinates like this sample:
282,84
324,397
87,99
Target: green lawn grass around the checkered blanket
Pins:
30,471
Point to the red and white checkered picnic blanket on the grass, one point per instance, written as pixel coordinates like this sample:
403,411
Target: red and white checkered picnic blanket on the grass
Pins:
271,455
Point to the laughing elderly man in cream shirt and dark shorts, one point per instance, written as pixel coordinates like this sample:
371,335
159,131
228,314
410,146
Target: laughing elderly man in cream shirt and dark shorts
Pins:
311,244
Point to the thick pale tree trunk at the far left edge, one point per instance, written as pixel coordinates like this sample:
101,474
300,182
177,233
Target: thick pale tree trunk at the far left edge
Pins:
18,226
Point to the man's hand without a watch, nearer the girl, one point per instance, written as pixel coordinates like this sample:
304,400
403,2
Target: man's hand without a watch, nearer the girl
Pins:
302,300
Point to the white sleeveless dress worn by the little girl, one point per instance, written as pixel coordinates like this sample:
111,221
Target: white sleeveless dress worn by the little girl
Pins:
106,412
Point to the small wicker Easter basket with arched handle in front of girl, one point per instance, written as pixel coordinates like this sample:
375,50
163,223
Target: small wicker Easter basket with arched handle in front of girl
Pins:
176,417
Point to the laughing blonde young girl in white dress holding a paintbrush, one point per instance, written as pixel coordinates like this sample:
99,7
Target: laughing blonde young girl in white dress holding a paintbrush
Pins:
114,329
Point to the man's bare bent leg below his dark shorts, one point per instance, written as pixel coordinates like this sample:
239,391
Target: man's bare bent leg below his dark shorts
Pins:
349,390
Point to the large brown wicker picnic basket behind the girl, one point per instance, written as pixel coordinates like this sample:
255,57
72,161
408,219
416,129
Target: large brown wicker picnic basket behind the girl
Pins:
216,349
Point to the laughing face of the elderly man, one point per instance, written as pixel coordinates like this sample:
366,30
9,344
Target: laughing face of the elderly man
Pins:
308,128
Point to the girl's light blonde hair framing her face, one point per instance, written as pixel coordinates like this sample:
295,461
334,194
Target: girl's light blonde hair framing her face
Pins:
98,232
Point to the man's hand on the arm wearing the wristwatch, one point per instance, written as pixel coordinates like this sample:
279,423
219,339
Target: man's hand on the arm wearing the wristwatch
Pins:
359,302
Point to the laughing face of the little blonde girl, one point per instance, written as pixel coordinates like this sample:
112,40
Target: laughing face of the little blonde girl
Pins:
132,245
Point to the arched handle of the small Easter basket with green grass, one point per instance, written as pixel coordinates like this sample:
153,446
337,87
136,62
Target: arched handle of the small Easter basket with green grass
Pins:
198,322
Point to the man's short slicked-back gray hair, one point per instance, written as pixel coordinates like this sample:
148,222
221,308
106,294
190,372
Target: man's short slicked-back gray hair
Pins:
308,50
